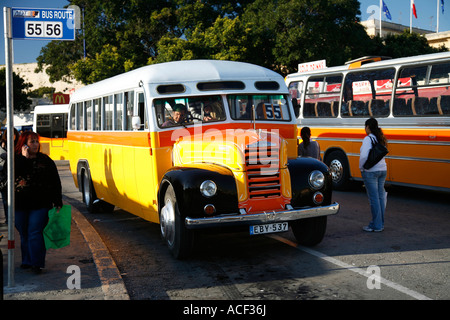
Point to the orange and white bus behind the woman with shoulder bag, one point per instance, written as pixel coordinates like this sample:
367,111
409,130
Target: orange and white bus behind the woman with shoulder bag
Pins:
410,98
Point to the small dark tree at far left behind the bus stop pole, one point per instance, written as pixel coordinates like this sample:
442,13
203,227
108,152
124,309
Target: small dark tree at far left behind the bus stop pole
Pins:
21,101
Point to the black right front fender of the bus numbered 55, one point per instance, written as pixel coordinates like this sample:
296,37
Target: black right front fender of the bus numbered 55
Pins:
302,193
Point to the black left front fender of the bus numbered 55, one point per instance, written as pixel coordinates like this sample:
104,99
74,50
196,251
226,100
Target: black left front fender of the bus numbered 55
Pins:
186,181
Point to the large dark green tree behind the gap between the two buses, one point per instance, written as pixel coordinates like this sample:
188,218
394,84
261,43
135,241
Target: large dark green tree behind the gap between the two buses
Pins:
293,31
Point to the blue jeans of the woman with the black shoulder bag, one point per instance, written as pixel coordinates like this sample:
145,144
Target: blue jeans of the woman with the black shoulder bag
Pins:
374,182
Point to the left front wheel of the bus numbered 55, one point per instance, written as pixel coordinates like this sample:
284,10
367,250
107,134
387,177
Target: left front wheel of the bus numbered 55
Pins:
177,237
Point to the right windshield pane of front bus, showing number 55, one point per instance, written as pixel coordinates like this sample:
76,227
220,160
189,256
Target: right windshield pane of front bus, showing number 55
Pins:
266,107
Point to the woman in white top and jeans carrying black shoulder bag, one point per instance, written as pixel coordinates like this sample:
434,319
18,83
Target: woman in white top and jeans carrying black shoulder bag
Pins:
374,177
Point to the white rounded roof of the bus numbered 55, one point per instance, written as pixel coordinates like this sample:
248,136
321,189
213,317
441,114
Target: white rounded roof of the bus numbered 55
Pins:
180,72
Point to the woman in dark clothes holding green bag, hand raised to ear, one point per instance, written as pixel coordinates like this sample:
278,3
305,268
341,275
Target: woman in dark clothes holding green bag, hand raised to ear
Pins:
37,190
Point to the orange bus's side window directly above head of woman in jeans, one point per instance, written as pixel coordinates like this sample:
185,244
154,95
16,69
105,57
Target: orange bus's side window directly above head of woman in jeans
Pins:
367,93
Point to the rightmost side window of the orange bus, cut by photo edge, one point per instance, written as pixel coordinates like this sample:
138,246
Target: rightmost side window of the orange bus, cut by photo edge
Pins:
423,91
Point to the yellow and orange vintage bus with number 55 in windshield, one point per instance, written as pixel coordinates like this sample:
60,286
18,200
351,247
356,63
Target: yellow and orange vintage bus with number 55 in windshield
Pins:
194,145
